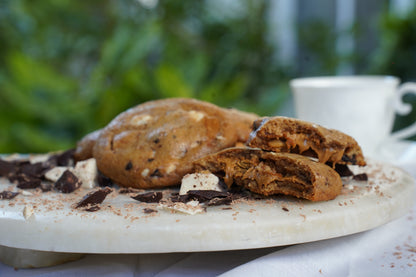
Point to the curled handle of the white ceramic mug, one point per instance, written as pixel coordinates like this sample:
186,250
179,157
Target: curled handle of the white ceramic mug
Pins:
404,109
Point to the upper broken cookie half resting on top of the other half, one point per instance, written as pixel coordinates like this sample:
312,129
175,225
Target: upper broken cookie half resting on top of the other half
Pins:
283,134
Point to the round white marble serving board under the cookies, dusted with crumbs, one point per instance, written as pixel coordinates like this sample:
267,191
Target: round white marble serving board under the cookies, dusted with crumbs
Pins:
53,225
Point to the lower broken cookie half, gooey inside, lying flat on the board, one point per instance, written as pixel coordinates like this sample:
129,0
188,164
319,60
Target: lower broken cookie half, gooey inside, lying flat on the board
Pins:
269,173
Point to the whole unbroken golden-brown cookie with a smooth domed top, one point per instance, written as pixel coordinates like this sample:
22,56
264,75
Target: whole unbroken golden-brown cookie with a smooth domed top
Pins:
154,144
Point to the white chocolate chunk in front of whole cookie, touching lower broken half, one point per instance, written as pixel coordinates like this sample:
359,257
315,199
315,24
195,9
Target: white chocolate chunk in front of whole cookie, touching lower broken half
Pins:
200,181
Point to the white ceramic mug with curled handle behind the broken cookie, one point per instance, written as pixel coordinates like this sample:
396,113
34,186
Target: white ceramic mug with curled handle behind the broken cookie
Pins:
361,106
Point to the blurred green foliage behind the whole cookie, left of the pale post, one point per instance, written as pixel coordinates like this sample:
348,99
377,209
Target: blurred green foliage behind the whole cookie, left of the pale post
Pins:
68,67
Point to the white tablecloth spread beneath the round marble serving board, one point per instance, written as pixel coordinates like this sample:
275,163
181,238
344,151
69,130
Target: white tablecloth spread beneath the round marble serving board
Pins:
389,250
